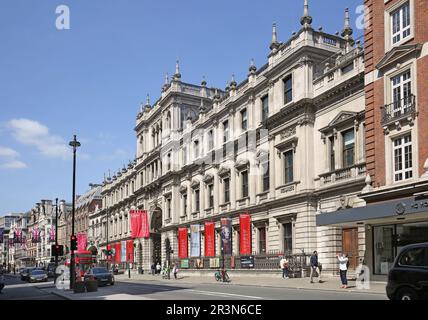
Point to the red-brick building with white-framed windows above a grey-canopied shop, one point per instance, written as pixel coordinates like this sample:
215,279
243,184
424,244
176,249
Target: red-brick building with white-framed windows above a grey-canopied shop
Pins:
396,197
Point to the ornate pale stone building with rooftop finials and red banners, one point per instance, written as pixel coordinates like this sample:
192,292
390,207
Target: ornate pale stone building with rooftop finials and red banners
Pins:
283,145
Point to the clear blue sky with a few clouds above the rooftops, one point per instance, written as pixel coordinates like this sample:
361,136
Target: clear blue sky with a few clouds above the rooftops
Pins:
90,80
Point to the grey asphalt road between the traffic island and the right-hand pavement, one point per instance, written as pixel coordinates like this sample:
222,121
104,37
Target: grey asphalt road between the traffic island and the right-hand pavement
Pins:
151,290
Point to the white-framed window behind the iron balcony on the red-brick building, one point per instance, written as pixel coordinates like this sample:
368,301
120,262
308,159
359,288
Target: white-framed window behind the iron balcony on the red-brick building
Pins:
401,93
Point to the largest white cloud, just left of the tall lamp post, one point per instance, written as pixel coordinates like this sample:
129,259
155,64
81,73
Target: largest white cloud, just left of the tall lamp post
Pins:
33,133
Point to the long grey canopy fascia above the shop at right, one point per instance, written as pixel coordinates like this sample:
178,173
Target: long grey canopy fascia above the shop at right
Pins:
390,209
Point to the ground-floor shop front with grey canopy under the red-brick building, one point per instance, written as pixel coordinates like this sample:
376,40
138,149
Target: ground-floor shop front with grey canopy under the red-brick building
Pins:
389,226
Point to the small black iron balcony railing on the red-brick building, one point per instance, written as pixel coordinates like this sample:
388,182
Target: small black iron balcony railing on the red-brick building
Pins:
398,110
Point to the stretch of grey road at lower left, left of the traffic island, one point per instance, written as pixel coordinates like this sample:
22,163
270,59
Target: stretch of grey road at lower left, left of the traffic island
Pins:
16,289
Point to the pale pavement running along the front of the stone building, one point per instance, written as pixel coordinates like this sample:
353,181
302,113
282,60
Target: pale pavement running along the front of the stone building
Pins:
329,283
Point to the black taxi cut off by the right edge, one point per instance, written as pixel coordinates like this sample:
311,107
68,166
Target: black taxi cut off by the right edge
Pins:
408,278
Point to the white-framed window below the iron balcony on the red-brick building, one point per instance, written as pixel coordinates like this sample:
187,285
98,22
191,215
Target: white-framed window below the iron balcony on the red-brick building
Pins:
403,158
